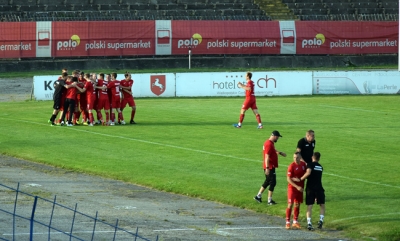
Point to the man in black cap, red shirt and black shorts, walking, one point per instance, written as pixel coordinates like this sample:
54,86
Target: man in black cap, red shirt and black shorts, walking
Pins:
270,155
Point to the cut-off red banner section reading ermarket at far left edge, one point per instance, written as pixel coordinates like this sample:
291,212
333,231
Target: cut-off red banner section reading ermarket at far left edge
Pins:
18,39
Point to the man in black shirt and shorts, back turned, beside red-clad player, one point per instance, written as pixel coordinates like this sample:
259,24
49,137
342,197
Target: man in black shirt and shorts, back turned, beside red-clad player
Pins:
314,189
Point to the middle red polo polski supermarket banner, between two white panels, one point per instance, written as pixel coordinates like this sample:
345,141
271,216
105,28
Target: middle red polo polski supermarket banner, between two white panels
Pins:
225,37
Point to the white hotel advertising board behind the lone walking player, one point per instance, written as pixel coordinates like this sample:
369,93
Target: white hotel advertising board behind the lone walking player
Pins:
225,84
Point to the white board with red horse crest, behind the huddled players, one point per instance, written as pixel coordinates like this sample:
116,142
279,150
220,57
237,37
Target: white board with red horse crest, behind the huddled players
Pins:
144,85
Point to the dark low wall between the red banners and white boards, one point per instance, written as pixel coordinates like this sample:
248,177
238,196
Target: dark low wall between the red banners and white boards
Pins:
201,62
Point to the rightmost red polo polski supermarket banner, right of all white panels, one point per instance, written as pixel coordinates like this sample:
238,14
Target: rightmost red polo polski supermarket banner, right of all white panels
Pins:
339,37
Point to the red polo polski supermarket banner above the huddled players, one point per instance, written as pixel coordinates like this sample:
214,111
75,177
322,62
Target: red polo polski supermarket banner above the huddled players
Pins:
98,38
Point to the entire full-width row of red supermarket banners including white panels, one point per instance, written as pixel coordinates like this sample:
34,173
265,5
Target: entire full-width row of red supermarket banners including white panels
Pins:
177,37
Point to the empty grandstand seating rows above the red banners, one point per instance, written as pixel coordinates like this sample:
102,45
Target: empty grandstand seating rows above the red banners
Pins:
105,10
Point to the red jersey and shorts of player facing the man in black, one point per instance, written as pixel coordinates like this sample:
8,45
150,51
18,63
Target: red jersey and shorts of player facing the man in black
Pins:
296,170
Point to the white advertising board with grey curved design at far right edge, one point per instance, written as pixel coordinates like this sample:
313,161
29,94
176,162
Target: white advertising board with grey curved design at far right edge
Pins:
356,82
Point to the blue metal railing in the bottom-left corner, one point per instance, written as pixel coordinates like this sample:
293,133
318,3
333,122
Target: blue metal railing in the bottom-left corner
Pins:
24,213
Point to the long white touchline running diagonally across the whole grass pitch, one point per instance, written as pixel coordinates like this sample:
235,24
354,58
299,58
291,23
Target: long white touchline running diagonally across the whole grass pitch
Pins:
193,150
